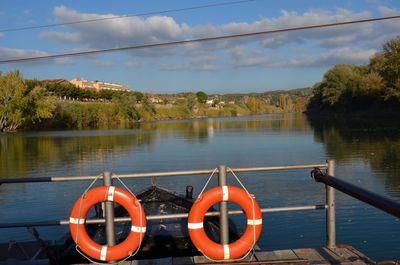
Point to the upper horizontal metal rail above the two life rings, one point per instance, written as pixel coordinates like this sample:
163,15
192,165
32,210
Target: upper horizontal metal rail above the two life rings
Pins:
159,174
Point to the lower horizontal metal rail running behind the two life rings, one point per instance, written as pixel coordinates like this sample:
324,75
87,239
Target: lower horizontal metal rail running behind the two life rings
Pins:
166,216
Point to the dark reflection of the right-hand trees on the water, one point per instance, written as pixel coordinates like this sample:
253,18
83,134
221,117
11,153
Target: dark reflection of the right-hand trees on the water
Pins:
375,142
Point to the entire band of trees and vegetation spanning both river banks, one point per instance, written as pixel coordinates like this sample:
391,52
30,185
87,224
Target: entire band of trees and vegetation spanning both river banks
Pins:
361,90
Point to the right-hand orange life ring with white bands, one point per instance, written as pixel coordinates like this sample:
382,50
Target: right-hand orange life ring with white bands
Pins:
241,246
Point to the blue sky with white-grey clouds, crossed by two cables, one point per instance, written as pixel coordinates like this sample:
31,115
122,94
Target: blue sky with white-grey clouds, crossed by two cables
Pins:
271,62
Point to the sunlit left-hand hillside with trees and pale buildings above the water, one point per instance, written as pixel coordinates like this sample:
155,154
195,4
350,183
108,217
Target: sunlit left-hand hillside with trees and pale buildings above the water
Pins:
79,103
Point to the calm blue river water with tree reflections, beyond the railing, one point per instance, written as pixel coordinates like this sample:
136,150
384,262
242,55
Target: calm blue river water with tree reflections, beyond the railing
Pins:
367,155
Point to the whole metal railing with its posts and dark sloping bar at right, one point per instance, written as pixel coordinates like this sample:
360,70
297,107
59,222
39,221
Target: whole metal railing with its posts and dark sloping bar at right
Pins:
331,183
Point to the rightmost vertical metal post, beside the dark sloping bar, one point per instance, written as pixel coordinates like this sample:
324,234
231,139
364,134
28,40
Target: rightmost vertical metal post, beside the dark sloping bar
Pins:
330,212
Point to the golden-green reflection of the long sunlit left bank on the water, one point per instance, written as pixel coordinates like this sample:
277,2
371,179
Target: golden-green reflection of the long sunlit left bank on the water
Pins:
22,152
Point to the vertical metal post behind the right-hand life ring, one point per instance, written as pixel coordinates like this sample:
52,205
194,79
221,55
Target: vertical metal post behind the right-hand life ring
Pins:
223,209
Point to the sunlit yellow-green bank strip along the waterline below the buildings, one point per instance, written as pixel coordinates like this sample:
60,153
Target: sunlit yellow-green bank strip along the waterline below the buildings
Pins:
110,115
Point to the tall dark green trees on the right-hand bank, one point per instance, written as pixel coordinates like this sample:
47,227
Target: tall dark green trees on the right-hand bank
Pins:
347,87
